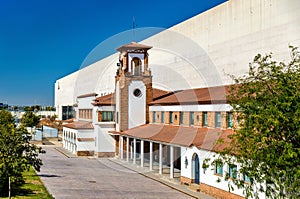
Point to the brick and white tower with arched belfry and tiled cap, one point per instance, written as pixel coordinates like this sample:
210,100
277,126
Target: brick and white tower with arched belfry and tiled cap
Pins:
133,86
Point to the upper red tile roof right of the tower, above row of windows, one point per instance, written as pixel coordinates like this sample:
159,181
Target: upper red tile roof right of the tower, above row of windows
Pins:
209,95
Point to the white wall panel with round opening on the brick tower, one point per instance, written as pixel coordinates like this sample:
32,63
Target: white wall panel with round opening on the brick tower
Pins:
136,105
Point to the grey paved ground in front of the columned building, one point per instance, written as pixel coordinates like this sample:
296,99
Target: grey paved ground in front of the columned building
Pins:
83,177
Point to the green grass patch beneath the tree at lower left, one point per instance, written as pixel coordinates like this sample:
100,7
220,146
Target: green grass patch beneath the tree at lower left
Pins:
33,187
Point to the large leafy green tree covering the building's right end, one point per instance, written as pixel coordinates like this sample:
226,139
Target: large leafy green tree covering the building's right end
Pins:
266,144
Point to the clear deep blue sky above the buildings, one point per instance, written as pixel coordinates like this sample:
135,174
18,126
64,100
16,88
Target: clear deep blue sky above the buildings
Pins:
44,40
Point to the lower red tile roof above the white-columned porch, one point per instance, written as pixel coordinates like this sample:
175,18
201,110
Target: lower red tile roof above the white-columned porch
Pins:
202,138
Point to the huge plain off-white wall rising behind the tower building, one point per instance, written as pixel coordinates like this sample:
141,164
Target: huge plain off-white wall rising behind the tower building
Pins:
200,51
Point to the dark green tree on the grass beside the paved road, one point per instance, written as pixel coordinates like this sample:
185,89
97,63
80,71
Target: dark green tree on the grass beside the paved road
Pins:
16,153
